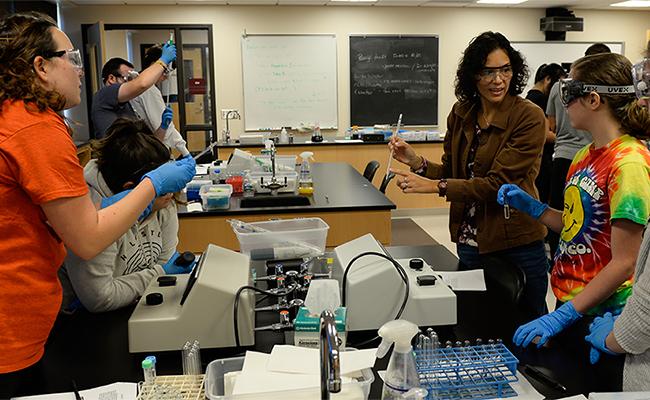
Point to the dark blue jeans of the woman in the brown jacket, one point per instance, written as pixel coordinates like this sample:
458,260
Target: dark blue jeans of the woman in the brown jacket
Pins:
531,258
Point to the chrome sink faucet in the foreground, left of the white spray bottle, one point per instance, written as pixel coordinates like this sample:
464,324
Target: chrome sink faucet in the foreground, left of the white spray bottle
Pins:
330,367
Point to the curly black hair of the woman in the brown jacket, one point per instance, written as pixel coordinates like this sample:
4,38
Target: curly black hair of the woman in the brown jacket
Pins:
473,61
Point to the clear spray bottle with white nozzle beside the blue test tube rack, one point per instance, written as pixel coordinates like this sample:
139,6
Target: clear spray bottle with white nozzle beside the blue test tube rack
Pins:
401,376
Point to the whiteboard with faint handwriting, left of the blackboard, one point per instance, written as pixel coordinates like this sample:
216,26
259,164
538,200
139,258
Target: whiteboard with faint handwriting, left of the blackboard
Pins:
289,80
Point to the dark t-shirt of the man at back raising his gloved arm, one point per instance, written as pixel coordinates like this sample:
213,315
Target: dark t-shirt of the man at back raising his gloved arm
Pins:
106,109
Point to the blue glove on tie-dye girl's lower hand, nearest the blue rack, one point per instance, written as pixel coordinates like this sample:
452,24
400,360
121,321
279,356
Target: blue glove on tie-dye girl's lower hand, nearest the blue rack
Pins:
546,326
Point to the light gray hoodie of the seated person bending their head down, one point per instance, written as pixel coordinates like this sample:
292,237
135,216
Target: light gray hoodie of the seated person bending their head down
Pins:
119,275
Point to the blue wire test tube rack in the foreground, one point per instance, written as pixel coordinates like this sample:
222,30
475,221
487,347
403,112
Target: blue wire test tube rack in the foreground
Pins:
468,372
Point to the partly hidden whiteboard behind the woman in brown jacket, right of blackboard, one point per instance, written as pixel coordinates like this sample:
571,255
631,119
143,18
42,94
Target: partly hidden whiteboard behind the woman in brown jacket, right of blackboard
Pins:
538,53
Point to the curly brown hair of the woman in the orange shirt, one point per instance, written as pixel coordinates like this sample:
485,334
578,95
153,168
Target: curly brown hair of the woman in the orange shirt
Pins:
23,37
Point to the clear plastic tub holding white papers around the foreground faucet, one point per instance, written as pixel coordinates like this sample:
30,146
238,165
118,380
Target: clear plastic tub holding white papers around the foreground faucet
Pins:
216,388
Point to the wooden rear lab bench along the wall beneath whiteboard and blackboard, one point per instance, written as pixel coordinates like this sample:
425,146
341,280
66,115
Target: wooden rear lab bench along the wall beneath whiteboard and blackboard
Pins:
358,155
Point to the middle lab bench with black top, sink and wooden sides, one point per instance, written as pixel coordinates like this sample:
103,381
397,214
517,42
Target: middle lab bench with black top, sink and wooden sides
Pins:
342,197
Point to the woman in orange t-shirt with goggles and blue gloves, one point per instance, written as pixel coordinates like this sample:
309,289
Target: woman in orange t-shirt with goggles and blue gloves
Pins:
43,196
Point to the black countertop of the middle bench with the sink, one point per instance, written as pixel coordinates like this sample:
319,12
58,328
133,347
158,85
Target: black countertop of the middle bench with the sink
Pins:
337,187
